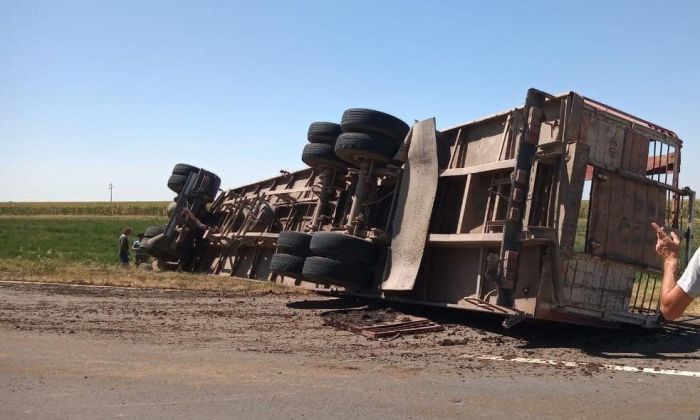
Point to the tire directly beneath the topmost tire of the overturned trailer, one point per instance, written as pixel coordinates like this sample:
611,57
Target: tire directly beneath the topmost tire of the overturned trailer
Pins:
356,147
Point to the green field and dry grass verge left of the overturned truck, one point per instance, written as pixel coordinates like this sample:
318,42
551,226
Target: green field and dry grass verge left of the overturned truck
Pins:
82,249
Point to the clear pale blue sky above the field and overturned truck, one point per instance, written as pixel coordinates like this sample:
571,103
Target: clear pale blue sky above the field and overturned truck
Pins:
93,92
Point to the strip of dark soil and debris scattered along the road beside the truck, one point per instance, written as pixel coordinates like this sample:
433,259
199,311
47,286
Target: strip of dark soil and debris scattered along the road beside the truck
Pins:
288,322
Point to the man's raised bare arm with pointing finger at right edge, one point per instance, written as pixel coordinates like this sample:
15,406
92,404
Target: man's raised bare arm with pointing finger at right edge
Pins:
673,299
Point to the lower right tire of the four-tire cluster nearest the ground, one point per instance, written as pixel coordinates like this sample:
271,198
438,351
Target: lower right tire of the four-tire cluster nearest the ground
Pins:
329,271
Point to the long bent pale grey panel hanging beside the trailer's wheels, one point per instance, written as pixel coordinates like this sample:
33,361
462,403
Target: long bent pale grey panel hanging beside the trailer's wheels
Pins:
413,208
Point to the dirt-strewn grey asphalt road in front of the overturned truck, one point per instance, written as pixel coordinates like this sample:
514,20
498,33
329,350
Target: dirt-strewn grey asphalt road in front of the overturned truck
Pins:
106,353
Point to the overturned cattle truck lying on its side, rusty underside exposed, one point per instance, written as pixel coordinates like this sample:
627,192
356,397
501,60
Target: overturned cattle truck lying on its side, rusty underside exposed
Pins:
542,211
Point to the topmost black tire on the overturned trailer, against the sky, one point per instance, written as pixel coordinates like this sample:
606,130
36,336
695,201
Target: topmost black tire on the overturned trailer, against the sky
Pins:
362,120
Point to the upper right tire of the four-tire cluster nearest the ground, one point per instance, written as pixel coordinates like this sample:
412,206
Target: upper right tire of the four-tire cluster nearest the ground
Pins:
342,247
